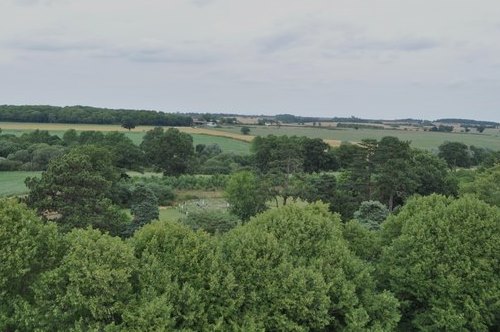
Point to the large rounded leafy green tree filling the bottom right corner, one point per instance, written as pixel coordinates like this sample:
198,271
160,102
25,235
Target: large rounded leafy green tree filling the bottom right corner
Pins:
441,260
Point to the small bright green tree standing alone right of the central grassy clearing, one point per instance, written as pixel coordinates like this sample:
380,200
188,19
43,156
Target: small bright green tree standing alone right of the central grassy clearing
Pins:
245,195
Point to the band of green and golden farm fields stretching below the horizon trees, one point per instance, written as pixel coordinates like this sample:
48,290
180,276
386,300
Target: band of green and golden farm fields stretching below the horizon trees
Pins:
231,140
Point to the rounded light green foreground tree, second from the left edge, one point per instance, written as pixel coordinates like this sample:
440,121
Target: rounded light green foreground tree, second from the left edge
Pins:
90,288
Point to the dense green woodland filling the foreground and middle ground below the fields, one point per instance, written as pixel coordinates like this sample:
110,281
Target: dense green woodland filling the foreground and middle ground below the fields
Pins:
374,236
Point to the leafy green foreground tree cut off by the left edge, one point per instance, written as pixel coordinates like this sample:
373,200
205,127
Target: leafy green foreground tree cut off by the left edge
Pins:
28,248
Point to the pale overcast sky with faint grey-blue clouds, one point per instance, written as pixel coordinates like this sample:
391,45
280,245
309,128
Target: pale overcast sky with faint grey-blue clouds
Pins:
383,59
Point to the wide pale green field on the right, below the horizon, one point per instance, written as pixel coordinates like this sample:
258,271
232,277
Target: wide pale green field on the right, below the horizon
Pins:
420,139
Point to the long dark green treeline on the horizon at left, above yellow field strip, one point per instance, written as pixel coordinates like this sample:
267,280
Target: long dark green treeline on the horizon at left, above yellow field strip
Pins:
90,115
